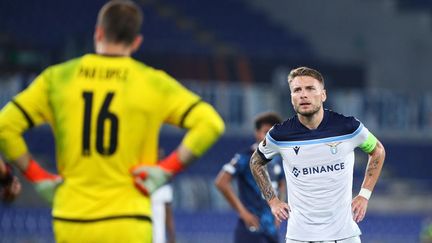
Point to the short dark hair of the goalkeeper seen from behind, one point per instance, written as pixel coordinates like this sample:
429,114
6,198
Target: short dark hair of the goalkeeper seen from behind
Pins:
121,20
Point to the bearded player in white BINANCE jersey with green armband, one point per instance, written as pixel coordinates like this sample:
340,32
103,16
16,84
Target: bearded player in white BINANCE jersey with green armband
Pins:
317,146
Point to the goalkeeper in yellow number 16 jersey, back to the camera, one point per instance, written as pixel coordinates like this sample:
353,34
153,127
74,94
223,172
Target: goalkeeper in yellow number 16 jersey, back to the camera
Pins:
106,111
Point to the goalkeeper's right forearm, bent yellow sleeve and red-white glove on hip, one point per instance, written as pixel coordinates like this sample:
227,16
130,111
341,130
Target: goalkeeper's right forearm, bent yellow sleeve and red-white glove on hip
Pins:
205,126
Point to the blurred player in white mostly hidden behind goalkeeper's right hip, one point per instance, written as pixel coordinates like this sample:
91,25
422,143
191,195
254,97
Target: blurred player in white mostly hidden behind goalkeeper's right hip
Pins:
163,218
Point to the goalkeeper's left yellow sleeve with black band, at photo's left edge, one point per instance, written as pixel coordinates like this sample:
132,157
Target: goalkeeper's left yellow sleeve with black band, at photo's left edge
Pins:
29,108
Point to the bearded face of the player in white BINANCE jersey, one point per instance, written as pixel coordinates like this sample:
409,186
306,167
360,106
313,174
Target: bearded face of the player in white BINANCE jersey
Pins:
307,95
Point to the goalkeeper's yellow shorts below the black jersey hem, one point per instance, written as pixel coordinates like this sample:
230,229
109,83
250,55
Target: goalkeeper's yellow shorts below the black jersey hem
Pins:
116,230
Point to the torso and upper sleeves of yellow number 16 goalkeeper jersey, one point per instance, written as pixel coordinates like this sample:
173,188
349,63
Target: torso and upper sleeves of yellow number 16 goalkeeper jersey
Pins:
106,113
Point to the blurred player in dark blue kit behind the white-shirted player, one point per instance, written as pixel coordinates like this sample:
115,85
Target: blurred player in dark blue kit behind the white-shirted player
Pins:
256,223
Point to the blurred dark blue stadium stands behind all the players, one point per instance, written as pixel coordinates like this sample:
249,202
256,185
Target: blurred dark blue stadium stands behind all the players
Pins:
376,57
